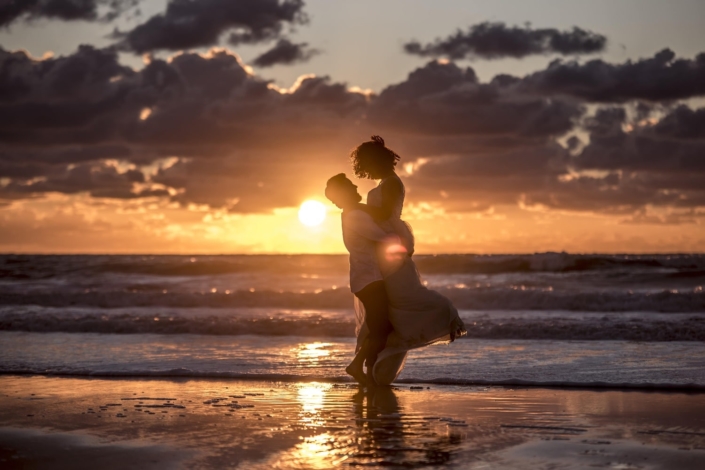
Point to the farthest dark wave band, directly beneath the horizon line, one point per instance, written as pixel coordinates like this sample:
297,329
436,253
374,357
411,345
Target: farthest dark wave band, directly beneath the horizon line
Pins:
27,267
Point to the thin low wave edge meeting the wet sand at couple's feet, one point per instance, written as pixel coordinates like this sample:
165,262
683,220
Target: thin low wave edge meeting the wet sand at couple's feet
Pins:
347,381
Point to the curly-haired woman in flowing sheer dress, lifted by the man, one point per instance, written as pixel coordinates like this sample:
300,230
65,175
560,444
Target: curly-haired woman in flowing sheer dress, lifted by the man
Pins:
420,316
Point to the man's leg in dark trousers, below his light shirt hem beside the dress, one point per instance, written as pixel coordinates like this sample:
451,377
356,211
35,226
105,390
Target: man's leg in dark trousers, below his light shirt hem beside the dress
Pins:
374,298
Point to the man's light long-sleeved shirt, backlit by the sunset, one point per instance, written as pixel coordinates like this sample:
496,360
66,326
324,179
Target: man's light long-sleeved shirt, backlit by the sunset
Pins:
361,235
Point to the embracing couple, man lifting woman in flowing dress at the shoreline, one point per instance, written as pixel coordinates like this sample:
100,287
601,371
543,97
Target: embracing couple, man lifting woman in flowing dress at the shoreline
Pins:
394,311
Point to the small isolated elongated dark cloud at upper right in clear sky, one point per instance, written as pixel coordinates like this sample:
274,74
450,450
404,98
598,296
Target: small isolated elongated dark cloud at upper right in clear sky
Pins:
497,40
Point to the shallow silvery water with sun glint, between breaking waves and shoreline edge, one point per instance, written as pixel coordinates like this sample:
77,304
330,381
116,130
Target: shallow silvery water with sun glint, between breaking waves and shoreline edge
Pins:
539,362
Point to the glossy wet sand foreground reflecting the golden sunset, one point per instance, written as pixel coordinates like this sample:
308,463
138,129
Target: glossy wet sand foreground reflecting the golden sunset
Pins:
51,422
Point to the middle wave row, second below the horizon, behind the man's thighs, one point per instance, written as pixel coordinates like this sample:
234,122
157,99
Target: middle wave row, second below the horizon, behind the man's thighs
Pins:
481,298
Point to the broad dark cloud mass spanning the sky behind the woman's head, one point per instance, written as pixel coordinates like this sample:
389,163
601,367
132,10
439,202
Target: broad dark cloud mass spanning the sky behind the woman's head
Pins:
203,129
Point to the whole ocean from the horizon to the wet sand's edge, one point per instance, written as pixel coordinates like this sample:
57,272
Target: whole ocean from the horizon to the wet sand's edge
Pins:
628,321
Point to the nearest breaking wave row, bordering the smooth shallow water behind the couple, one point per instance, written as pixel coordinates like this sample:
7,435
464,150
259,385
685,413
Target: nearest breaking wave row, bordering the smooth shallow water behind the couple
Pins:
555,327
